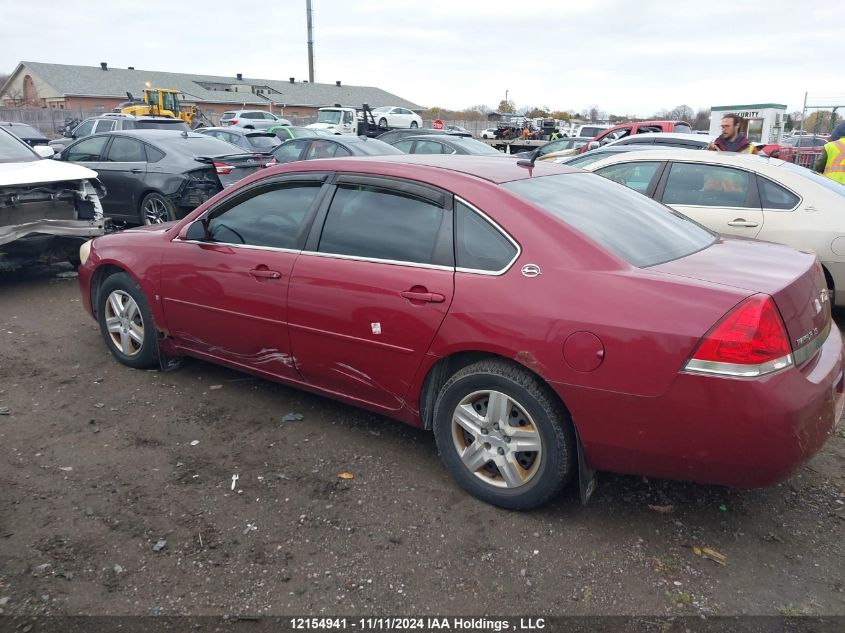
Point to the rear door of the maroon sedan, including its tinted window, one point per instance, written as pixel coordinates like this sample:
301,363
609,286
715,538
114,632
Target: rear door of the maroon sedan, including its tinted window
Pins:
371,290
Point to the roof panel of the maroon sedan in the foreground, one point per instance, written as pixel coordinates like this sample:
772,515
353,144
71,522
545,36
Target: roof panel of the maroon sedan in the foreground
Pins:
491,168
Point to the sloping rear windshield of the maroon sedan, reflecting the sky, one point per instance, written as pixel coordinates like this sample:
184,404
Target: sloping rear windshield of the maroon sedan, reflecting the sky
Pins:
630,225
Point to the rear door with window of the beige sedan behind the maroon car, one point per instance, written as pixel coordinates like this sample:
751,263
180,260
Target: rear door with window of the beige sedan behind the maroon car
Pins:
721,198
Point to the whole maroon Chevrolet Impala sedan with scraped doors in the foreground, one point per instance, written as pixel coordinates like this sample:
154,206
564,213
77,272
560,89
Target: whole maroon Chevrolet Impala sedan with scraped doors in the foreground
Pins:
542,321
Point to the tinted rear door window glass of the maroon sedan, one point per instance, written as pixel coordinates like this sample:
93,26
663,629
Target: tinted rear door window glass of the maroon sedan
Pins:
377,223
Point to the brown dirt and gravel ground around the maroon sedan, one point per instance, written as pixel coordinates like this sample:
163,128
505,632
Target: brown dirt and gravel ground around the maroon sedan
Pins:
117,499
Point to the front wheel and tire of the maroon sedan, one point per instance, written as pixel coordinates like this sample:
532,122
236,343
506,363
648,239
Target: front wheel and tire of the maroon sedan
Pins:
126,322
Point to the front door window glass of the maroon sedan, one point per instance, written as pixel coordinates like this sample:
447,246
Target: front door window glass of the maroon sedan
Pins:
271,218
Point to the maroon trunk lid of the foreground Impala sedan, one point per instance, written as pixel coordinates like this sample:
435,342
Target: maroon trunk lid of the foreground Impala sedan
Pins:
794,279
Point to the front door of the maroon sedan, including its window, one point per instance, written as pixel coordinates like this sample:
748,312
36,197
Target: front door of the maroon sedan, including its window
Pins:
225,297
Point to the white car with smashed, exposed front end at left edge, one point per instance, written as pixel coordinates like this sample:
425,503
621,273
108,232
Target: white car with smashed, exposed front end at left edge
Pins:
47,208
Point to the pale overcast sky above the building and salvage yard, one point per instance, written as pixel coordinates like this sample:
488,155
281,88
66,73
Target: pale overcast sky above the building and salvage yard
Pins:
626,57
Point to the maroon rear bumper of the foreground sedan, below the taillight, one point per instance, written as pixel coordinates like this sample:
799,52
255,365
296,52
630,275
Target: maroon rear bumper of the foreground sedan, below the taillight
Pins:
743,433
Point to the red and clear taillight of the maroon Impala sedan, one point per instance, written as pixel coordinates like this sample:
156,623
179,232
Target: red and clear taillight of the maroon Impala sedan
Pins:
749,341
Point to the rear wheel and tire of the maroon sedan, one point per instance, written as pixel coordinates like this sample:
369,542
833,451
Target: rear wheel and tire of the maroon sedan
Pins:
503,435
